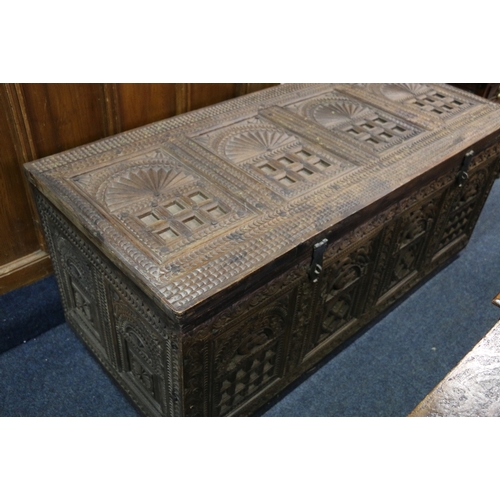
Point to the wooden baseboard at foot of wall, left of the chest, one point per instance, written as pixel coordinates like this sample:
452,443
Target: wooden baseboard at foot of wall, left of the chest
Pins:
24,271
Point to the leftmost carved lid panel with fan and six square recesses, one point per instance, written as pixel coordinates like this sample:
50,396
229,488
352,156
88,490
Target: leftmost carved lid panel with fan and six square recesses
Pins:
161,204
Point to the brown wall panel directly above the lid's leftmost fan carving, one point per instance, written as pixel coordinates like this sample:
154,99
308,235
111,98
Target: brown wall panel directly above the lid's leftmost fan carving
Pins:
143,103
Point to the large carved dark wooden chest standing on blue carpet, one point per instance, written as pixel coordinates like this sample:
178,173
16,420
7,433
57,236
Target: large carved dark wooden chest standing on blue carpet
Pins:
210,259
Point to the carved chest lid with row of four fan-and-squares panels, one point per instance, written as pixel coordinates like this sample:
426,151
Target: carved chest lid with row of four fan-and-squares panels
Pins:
193,205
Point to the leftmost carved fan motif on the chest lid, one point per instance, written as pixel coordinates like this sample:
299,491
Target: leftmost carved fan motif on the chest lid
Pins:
139,184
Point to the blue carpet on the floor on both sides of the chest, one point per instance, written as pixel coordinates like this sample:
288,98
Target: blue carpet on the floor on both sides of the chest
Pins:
386,371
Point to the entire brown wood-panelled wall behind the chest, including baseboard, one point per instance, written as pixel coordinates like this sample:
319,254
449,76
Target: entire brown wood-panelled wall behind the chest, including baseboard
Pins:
37,120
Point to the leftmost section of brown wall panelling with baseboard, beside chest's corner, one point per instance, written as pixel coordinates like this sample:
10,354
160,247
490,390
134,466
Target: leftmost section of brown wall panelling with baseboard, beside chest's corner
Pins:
42,119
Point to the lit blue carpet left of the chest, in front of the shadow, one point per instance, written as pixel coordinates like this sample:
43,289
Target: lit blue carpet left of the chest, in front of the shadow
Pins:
54,375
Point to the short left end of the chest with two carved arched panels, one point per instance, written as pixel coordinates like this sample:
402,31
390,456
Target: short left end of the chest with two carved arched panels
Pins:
136,343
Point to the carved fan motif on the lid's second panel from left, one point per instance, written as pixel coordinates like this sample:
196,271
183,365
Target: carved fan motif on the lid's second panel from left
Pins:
249,144
